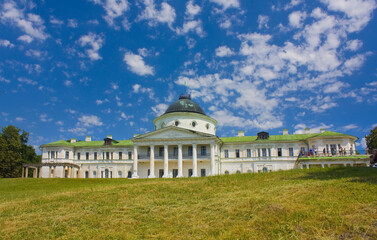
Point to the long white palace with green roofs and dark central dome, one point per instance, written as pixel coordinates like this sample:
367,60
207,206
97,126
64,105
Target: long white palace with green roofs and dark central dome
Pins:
184,144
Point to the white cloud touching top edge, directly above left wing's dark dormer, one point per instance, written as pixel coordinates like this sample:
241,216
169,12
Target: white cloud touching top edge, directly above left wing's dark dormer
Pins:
114,9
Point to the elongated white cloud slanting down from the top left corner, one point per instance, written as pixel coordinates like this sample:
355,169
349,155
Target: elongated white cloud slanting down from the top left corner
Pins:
31,24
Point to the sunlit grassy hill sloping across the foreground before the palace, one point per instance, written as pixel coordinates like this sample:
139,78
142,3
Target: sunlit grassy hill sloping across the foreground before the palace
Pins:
333,203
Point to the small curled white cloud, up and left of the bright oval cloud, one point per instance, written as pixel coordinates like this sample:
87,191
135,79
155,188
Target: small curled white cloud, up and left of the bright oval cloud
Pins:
94,41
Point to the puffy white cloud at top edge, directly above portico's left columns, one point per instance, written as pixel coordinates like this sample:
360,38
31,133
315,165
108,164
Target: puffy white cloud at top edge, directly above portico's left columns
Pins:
166,14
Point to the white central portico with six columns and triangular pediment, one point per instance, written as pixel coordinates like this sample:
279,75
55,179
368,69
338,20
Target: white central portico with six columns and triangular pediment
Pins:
174,156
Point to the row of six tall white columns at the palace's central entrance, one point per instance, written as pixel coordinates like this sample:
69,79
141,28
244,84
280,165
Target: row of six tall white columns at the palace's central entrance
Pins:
166,161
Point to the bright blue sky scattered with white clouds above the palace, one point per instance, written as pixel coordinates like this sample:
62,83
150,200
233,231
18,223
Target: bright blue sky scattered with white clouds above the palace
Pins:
75,68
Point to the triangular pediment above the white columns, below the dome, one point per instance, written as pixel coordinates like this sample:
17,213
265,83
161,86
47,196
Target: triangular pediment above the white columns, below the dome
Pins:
172,133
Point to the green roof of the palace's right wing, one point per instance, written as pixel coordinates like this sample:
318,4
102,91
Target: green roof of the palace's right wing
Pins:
289,137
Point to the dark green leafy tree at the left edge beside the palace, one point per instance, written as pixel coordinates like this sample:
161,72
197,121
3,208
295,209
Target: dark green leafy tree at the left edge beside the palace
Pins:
14,151
